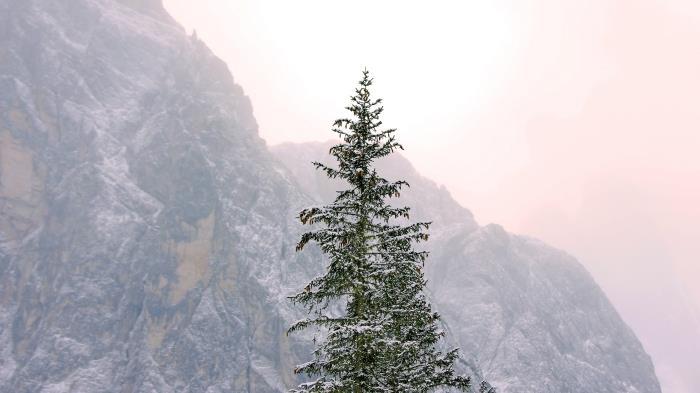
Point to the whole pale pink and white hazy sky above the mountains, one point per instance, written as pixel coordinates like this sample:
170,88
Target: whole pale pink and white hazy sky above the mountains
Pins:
577,122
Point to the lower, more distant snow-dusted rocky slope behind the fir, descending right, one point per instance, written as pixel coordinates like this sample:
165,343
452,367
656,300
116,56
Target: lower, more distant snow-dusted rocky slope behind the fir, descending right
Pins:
530,316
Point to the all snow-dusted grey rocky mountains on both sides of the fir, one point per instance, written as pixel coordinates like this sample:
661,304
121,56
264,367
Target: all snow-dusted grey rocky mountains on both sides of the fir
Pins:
147,233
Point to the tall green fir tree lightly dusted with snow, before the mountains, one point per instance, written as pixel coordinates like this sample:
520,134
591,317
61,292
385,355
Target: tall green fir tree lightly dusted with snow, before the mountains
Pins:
386,337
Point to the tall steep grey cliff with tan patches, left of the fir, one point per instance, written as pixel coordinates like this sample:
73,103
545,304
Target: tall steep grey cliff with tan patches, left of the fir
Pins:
145,228
